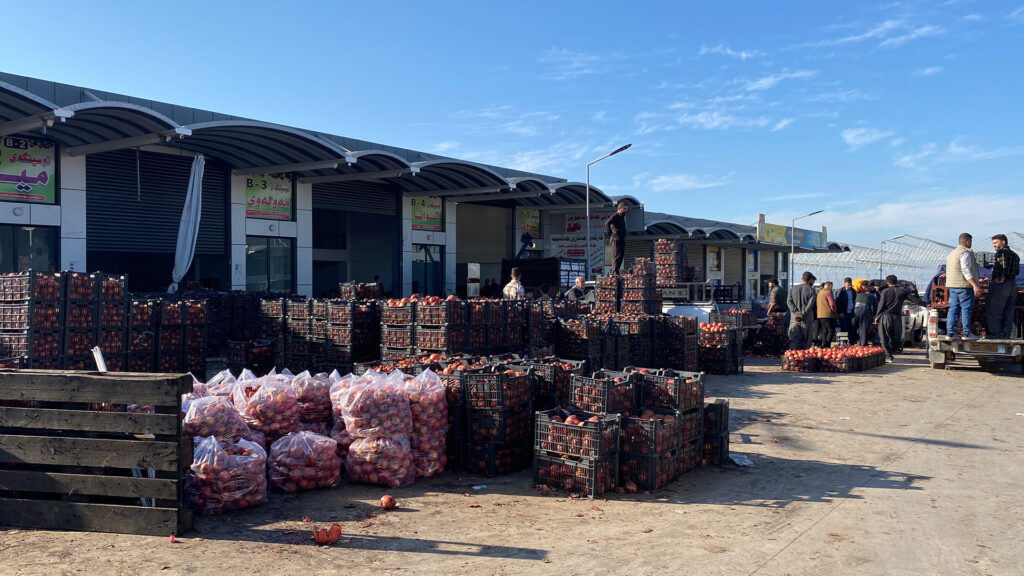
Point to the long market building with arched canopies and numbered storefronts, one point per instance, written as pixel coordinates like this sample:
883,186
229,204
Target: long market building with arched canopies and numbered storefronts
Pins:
97,181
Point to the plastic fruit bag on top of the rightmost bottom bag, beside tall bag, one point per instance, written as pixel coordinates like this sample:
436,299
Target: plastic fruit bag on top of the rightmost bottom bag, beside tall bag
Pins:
378,407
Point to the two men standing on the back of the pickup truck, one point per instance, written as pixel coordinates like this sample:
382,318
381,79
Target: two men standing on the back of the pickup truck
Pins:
963,277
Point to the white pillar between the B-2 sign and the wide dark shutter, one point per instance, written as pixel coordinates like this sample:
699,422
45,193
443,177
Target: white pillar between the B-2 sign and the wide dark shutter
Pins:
71,214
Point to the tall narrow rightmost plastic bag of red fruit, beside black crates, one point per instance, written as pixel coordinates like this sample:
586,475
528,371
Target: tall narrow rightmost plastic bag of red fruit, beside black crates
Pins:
429,405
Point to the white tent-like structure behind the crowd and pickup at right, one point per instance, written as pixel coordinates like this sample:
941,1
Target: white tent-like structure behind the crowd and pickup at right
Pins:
910,258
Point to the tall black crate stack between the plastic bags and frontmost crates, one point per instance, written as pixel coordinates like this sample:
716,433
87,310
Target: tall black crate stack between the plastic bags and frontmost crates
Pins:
500,418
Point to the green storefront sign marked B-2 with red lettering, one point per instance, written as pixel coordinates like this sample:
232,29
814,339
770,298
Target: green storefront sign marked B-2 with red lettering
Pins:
28,171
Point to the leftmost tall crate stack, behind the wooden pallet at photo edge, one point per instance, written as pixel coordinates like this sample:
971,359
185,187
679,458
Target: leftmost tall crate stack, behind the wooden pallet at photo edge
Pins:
31,316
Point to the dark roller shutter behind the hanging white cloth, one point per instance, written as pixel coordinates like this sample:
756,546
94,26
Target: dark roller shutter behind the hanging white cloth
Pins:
118,221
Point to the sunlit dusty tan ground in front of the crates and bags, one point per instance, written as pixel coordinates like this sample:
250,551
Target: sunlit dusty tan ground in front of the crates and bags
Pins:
899,471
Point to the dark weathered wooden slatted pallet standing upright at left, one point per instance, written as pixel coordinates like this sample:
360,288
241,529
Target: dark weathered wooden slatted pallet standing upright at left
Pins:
65,466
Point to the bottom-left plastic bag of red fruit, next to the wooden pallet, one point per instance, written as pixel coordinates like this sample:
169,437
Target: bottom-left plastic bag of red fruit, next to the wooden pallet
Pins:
227,476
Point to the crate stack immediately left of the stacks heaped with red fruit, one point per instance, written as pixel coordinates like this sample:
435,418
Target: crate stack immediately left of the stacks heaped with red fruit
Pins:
354,334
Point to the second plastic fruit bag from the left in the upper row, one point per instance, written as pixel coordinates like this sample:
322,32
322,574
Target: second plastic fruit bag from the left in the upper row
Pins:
272,408
